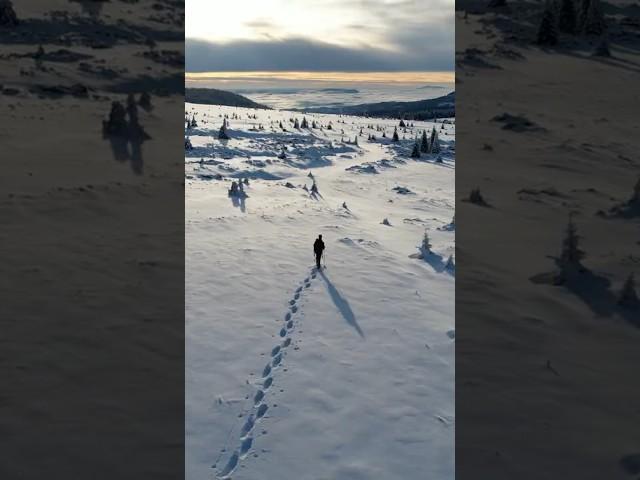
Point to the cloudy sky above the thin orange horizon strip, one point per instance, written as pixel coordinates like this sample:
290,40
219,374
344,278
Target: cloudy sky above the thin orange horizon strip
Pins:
320,36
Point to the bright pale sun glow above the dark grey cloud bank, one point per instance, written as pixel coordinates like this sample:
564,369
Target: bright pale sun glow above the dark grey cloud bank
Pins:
352,23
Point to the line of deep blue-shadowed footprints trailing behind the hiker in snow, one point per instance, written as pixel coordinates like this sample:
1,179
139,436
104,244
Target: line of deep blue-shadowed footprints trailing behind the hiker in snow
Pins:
260,407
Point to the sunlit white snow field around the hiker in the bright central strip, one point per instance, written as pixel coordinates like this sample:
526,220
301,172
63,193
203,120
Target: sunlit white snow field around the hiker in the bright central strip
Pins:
345,374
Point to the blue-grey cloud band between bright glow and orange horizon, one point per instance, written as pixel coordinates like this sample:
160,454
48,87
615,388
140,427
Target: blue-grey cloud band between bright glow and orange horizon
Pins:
421,51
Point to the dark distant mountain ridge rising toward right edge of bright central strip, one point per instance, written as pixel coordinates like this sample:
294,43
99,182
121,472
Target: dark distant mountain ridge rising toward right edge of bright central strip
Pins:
417,110
